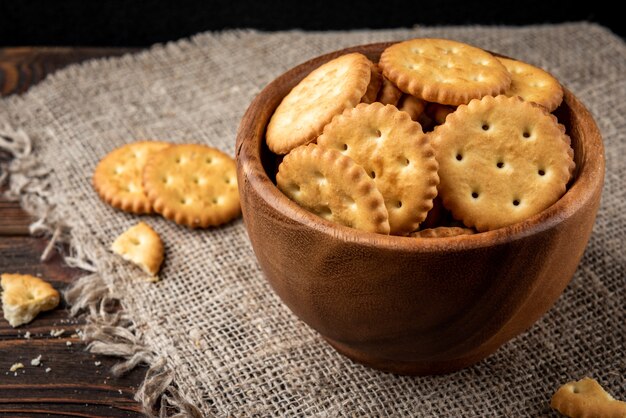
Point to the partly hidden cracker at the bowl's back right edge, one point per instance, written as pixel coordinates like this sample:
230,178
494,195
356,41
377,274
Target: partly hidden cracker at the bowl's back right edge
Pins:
533,84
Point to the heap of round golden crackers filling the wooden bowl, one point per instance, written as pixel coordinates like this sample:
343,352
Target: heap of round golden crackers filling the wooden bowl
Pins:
438,139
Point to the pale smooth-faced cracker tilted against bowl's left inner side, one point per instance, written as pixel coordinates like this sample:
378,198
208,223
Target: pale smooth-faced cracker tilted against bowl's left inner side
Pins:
325,92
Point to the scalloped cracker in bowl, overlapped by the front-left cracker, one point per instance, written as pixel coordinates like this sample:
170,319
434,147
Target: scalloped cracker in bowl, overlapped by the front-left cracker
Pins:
395,153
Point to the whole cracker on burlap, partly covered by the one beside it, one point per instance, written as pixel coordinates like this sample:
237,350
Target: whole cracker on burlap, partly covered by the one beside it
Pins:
117,177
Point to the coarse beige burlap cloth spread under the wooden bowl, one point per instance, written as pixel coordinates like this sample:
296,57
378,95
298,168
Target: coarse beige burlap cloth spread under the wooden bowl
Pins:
218,340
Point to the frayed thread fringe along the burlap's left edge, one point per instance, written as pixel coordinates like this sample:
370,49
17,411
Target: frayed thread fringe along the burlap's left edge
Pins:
108,329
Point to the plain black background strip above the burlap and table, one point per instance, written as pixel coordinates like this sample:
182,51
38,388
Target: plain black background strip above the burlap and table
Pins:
141,23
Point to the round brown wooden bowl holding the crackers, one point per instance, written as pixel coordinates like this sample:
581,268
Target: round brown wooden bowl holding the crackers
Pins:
414,305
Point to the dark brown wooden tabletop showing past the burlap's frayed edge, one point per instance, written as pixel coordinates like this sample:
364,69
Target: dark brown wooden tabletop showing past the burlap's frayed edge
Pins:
70,382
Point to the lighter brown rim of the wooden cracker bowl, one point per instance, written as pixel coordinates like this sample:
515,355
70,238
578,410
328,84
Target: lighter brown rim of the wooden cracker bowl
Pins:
588,181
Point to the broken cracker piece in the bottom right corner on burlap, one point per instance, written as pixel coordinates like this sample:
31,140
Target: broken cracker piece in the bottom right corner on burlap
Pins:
587,398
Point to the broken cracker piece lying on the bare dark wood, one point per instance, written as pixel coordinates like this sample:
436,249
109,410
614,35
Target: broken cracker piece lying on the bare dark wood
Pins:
25,296
